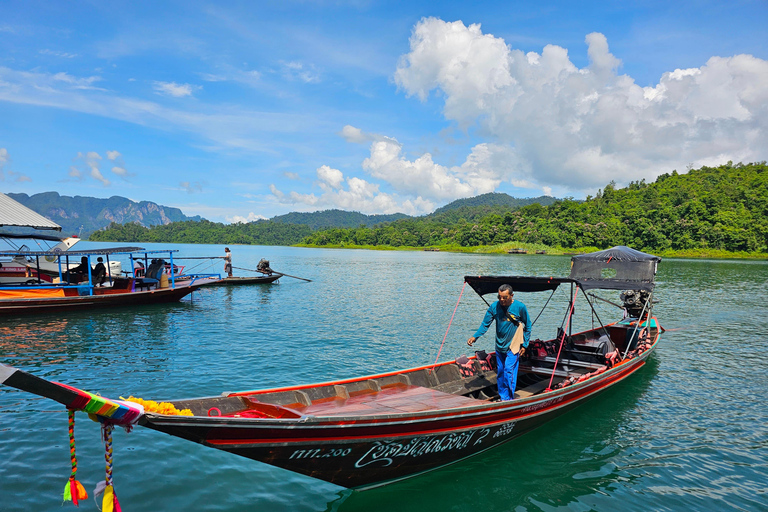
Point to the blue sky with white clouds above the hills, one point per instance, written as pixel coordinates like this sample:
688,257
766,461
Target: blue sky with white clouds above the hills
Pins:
244,110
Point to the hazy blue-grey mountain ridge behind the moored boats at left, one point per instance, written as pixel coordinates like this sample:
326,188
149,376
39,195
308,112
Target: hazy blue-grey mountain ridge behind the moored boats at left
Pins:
91,214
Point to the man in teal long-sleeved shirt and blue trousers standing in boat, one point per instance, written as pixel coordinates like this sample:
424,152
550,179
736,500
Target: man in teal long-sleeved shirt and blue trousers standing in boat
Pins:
510,315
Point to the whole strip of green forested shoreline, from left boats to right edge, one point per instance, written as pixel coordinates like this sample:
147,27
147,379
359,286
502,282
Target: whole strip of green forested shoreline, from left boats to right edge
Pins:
711,212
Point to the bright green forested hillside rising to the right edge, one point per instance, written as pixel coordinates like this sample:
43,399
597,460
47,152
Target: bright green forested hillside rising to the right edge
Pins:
709,208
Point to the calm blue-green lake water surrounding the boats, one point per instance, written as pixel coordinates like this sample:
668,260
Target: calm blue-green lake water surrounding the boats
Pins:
689,431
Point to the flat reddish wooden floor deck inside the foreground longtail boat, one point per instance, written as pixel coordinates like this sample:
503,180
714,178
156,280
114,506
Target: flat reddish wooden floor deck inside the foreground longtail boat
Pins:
390,400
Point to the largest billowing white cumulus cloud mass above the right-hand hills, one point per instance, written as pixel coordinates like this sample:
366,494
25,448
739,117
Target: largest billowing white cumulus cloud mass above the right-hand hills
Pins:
581,128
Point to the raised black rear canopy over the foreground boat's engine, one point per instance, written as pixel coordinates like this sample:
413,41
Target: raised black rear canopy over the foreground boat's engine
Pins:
617,268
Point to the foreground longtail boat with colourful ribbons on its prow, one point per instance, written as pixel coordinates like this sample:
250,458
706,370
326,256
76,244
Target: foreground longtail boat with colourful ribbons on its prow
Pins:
368,431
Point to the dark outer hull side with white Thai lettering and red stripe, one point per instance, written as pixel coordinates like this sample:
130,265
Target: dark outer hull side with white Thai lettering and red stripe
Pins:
367,451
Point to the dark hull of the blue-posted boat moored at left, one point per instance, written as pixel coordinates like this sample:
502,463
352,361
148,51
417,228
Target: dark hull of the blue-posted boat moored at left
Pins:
104,297
